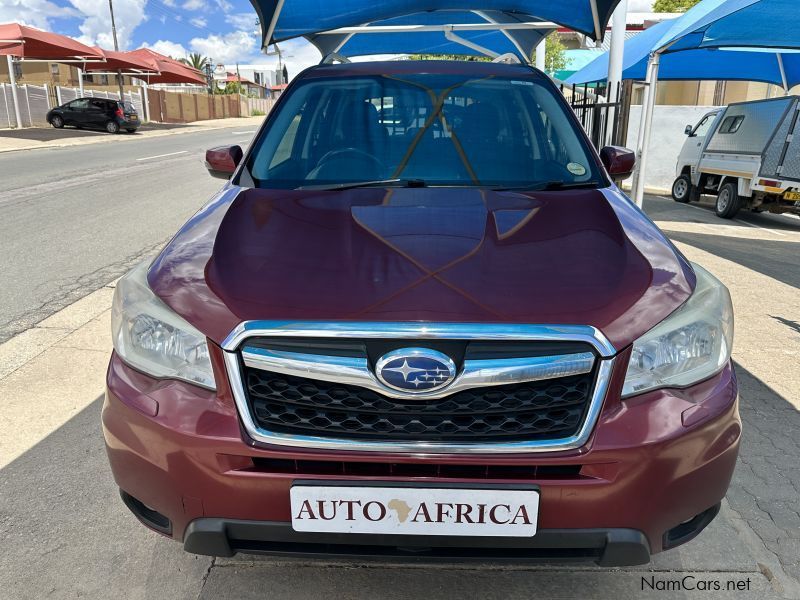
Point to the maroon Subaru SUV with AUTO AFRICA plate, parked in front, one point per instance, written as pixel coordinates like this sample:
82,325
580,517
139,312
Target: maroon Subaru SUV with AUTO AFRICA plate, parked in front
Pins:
420,321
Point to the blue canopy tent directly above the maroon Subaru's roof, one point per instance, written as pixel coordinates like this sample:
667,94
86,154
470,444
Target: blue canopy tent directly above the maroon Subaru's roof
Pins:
493,27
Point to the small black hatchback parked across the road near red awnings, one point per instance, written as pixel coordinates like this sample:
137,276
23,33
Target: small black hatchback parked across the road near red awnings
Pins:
95,113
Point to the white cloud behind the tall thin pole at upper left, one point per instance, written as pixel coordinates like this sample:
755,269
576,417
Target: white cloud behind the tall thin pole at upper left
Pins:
96,26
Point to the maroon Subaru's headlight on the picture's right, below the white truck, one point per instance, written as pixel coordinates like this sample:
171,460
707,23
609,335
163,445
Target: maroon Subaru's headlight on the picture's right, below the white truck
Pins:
690,345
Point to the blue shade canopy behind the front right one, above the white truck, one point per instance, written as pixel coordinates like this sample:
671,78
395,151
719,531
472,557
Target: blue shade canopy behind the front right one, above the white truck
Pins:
701,64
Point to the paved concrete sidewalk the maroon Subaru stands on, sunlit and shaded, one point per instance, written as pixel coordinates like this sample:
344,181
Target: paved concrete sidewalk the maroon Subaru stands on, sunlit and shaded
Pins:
66,534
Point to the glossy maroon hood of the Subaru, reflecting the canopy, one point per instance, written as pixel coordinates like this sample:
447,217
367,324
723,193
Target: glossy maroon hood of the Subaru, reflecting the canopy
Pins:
584,257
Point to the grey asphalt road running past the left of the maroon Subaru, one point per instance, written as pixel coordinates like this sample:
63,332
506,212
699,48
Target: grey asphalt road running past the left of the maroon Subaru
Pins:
75,218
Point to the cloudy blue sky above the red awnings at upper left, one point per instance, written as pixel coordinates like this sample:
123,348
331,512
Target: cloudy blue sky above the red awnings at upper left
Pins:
224,30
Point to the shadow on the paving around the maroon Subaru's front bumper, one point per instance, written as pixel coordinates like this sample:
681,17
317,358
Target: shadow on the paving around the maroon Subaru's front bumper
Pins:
66,533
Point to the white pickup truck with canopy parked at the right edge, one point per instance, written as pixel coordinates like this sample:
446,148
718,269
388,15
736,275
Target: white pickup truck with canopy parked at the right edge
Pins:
747,154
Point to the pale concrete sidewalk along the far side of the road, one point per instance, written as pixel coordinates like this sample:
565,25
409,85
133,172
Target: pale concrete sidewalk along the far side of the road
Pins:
33,138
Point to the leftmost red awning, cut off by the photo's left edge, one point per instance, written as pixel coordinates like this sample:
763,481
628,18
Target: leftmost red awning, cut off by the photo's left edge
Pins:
26,42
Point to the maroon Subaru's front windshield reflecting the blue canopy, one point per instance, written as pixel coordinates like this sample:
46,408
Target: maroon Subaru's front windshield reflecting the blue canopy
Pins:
425,129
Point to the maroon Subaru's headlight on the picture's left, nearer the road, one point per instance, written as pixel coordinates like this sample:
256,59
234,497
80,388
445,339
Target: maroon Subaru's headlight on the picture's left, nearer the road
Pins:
150,337
